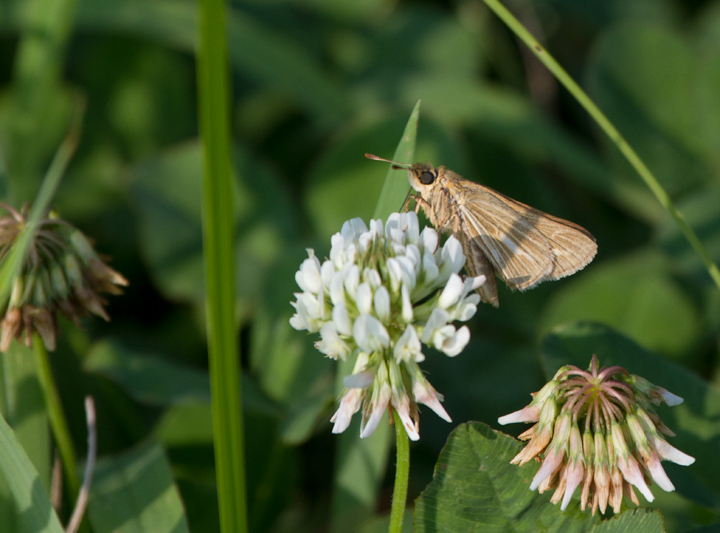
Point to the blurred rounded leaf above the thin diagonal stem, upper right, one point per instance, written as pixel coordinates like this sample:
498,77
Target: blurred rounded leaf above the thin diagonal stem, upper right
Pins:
643,77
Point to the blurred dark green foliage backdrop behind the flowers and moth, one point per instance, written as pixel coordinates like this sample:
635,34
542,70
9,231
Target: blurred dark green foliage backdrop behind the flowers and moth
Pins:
315,85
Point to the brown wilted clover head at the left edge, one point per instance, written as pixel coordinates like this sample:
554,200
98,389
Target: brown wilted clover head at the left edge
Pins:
60,272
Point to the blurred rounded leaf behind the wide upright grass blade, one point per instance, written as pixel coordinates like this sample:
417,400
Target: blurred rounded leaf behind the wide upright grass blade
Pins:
168,189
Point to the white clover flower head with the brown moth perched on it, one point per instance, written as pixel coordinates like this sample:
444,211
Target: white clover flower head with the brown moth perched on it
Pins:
377,298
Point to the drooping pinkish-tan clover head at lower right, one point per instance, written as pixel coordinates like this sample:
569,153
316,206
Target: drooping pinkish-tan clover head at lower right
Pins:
598,430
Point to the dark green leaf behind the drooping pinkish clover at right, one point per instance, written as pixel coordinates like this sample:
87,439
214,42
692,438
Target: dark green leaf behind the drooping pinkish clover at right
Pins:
695,421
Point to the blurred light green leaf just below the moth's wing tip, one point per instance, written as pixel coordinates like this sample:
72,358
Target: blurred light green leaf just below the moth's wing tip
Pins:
636,295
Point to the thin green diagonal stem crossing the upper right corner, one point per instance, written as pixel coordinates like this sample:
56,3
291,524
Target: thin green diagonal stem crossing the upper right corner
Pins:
585,101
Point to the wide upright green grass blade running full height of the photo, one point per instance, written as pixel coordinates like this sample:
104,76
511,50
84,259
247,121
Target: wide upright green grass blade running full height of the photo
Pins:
218,238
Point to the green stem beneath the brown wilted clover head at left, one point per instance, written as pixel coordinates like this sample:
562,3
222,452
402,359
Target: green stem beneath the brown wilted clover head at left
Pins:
58,422
